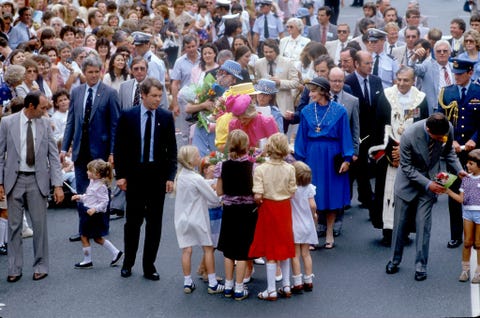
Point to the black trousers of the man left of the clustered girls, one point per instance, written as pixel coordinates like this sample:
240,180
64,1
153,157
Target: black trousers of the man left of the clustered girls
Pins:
145,197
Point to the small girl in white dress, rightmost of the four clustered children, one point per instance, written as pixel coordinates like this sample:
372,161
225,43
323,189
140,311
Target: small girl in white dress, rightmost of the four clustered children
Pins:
303,219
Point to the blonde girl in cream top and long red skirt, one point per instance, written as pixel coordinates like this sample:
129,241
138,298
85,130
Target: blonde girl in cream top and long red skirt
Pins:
273,186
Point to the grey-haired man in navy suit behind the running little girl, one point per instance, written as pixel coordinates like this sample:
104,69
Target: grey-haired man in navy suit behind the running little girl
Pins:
91,124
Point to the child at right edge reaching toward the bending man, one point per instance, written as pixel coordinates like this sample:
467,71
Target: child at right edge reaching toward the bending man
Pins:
469,197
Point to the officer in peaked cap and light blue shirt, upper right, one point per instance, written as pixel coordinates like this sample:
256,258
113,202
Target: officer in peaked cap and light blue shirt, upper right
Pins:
384,66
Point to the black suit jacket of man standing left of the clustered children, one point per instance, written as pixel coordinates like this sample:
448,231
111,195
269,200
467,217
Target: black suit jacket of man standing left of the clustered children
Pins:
128,144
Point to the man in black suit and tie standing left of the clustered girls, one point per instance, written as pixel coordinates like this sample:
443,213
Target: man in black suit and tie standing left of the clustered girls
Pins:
145,163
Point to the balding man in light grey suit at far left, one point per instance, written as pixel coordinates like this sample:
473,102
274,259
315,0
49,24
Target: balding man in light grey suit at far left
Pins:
26,173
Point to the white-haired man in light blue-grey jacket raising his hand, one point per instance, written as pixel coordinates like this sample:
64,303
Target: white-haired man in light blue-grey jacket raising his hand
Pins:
433,73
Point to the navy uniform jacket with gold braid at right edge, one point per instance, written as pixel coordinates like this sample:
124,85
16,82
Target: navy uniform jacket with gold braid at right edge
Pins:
467,126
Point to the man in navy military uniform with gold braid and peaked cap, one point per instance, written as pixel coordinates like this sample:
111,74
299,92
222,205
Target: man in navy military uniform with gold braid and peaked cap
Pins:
464,98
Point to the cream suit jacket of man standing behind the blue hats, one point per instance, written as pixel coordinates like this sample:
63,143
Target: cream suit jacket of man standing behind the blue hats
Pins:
287,73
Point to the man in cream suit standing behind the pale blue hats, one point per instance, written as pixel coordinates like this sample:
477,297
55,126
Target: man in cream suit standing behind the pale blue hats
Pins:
282,71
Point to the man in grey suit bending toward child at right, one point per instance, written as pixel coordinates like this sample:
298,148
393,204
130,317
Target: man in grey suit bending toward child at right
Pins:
421,147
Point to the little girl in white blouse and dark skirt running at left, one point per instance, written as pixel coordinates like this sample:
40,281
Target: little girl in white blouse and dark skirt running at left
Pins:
94,221
